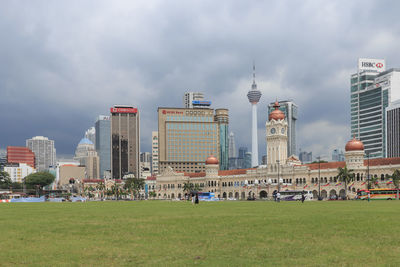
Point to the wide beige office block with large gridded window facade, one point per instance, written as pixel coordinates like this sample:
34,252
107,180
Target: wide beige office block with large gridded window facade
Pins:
188,136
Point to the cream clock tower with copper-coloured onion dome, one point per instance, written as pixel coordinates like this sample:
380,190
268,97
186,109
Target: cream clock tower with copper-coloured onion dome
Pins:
276,137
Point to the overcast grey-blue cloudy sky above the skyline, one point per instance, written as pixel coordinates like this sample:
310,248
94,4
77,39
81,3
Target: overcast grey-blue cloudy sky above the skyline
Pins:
63,63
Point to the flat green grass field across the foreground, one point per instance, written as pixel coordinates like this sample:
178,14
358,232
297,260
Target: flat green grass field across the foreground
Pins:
159,233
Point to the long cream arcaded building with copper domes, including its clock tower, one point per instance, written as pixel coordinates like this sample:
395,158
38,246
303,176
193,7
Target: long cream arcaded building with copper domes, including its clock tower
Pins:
261,182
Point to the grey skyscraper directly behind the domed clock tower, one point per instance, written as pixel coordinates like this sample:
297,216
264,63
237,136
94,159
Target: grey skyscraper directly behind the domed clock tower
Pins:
289,108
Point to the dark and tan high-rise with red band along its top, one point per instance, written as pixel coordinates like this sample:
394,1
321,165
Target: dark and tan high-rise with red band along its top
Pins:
125,141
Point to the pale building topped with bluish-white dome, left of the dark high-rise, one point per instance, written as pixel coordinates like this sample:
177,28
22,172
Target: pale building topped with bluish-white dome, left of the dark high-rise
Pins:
87,156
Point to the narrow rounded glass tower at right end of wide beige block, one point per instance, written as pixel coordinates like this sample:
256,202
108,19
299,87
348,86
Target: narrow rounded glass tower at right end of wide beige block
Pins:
222,118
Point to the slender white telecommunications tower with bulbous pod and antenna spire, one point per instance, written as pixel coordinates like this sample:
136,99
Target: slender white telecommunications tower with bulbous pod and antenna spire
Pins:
254,96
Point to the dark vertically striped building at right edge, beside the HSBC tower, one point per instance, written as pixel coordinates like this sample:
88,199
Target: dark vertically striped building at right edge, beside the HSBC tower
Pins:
393,130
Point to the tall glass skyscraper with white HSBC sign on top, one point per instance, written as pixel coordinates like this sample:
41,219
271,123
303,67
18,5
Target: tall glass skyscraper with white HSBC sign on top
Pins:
371,89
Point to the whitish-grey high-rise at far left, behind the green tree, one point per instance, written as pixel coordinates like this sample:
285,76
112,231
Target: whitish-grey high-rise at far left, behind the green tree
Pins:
45,152
